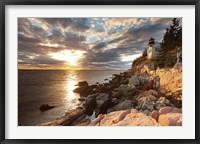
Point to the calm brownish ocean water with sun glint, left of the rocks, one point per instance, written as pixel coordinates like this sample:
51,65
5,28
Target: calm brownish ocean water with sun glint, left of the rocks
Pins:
53,87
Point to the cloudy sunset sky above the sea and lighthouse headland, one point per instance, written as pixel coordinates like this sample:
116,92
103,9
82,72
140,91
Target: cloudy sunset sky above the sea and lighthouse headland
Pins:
85,43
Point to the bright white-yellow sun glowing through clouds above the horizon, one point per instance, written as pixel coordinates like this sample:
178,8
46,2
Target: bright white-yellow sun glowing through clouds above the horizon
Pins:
72,57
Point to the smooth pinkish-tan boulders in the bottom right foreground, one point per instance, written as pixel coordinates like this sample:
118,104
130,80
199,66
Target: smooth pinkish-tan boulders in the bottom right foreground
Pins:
166,116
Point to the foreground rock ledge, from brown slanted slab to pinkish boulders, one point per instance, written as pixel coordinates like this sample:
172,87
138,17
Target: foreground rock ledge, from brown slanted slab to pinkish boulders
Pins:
166,116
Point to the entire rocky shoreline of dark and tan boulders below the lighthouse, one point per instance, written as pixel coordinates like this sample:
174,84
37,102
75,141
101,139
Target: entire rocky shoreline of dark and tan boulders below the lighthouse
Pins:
146,97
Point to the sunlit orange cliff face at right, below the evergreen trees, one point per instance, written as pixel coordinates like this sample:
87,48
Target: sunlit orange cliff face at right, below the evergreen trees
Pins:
170,82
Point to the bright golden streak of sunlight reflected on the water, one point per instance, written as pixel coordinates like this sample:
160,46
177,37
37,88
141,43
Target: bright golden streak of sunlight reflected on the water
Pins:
71,98
